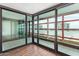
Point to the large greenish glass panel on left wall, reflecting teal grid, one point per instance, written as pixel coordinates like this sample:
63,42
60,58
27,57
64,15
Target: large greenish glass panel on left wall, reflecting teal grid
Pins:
13,30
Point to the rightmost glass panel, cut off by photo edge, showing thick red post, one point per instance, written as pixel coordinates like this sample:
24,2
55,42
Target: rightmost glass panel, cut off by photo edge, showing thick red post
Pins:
68,29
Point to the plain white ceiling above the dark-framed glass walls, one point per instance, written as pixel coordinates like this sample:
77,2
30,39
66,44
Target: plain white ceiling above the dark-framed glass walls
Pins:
29,7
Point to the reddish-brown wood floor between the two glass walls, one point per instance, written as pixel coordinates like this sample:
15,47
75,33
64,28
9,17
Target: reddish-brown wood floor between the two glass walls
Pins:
29,50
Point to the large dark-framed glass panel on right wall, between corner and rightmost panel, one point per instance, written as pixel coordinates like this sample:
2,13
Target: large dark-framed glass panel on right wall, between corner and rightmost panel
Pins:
47,29
